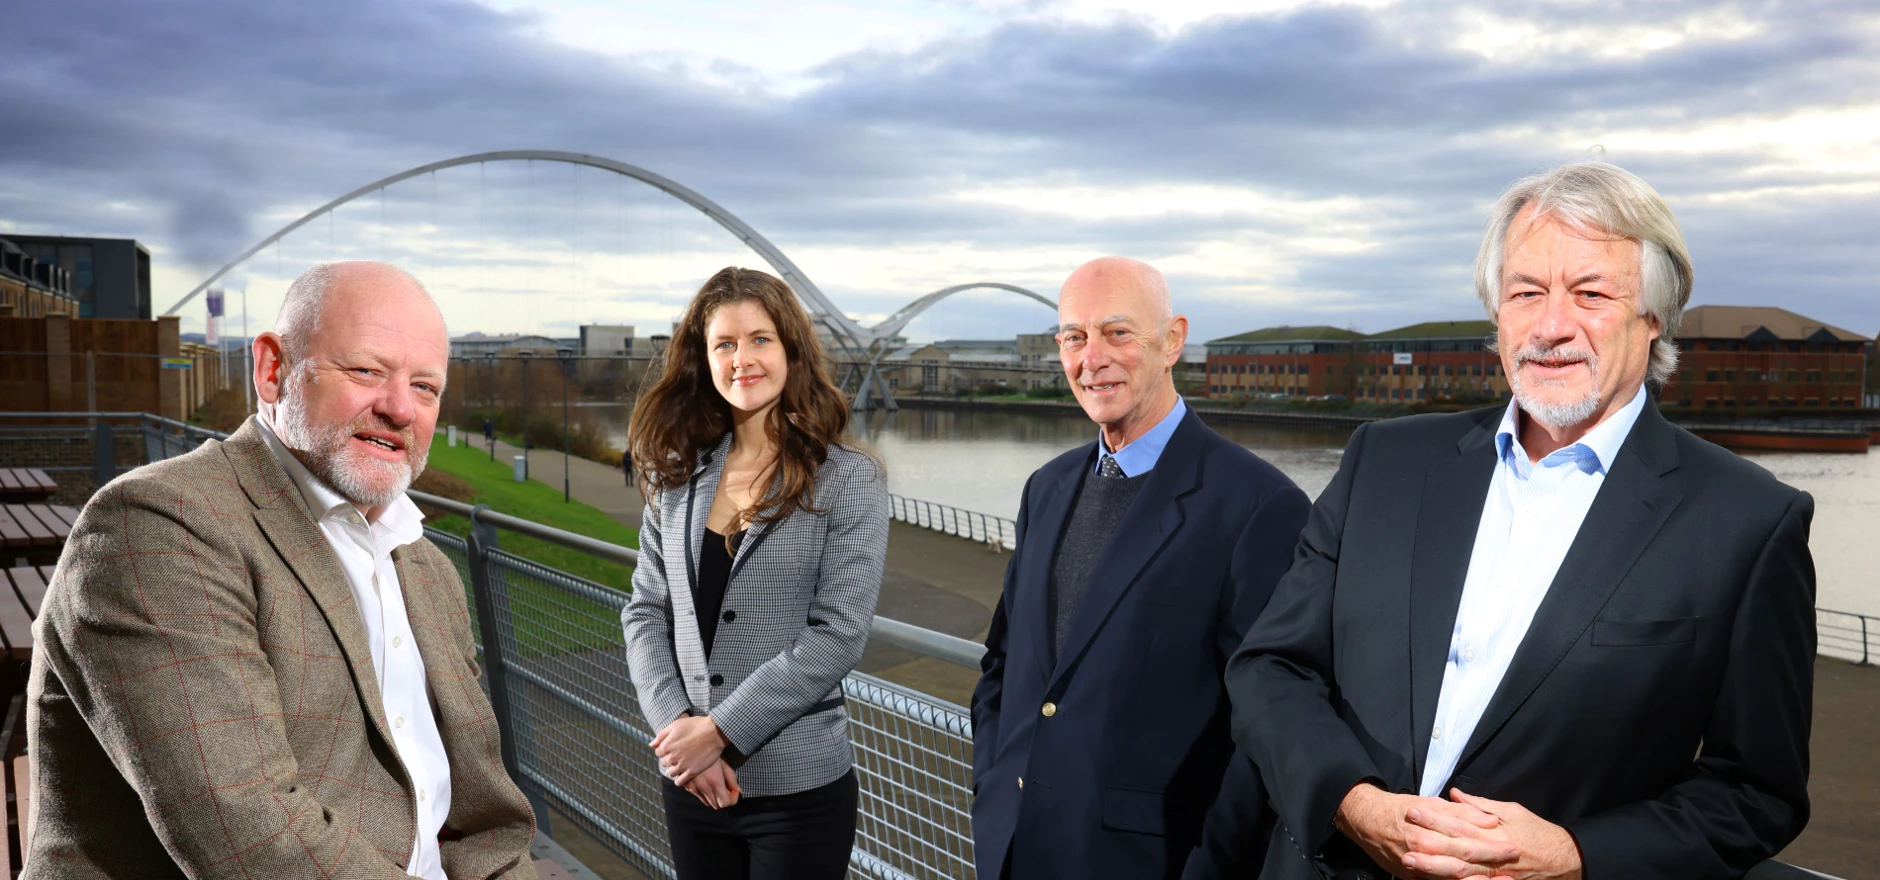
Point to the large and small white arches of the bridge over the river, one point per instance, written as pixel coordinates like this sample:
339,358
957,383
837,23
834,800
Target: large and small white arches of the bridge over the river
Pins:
868,341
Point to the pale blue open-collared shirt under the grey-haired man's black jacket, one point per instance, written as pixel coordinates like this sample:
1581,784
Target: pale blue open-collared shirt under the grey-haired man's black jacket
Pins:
1529,520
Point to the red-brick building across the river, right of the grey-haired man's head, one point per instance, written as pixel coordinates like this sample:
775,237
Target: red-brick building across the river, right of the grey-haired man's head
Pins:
1762,358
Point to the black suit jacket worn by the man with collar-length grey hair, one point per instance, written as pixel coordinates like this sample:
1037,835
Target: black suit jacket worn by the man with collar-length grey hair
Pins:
1657,708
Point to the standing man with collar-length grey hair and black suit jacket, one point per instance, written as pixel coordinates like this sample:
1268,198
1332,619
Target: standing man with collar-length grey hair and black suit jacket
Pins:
1552,640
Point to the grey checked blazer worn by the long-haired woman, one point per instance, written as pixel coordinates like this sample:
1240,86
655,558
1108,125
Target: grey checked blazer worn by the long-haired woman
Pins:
796,618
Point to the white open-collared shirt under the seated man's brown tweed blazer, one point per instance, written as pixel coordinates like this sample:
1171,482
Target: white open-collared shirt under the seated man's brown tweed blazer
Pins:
366,554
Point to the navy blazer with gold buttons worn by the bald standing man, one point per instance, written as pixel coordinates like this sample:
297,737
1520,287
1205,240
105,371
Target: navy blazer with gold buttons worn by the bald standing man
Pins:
1135,768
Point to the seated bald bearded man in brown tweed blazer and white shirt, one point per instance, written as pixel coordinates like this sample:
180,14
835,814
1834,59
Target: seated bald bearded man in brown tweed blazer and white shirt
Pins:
251,663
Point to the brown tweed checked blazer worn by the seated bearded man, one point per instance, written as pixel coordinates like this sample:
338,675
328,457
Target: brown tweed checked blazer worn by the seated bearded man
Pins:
204,702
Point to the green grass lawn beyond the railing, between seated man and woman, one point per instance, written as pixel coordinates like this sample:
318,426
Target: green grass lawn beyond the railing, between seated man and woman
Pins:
493,484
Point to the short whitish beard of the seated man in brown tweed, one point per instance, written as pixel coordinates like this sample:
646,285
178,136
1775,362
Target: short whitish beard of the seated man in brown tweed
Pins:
326,452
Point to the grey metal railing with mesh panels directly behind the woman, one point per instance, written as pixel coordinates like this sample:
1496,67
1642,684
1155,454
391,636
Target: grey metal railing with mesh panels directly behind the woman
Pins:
574,738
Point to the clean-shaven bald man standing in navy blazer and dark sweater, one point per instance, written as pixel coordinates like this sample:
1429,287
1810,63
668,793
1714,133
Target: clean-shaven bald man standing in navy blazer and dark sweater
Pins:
1101,723
